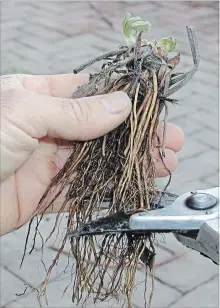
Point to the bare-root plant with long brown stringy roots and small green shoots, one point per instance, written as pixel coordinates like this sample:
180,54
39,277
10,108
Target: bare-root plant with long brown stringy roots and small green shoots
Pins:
119,166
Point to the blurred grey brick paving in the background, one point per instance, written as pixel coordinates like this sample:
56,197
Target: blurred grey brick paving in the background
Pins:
54,37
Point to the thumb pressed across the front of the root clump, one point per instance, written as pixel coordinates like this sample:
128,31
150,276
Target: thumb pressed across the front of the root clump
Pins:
83,118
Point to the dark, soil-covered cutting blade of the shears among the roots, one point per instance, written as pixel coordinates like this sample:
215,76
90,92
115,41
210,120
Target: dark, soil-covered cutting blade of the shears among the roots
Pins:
119,222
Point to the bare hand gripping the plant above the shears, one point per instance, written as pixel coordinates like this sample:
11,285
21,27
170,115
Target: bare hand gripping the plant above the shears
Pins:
37,113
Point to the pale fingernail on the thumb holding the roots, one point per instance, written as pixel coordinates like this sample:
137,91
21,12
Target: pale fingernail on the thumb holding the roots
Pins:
116,102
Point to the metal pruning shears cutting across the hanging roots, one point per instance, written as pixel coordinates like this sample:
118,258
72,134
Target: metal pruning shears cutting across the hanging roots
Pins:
192,217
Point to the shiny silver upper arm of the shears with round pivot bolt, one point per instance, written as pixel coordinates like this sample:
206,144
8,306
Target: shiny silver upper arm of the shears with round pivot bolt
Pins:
187,213
